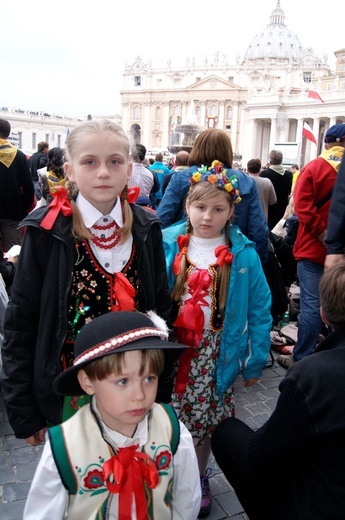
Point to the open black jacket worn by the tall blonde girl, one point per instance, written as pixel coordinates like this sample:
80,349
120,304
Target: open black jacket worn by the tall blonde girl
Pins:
36,317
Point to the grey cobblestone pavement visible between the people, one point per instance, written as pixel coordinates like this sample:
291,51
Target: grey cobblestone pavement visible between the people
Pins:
18,460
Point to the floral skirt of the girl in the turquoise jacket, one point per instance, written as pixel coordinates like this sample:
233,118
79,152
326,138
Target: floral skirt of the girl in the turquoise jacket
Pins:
200,409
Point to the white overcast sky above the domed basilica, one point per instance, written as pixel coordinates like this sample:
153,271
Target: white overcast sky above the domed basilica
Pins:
68,58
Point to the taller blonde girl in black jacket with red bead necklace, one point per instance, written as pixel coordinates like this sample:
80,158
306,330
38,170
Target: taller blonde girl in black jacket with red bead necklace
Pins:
90,252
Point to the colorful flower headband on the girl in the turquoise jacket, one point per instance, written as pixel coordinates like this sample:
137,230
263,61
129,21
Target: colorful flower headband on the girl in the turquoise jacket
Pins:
216,174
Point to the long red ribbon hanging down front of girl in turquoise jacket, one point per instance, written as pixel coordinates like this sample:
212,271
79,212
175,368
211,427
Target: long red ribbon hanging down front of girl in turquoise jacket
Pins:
190,324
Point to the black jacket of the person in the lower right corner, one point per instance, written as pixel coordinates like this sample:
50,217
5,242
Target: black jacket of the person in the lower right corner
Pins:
301,448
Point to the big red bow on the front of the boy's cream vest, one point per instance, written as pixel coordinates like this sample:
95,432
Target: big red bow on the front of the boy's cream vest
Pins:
126,473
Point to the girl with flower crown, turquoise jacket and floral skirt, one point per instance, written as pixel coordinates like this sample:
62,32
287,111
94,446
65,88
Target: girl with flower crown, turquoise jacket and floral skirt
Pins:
222,309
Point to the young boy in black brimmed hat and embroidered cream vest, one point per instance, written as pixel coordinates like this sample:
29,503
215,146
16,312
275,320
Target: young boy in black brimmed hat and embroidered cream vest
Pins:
123,456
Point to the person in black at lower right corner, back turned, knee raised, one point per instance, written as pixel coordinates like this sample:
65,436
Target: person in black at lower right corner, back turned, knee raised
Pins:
293,467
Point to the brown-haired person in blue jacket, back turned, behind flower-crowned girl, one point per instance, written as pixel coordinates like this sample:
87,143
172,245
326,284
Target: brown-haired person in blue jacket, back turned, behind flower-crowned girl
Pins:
248,215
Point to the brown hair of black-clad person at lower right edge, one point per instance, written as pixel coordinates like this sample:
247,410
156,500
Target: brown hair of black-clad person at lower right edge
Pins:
332,294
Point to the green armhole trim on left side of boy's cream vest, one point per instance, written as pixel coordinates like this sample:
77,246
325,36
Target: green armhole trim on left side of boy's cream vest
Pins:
61,459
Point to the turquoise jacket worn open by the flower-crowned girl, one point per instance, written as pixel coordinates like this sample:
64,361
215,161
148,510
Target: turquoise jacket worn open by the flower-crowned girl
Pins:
245,340
